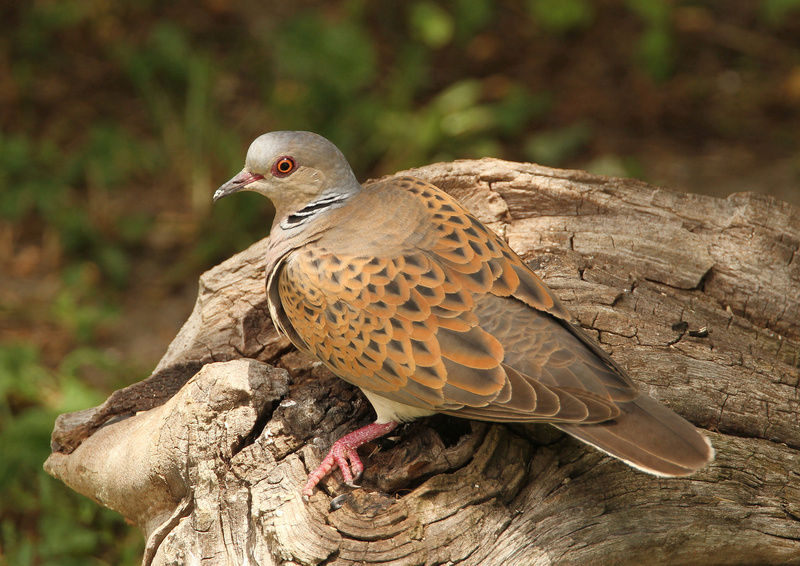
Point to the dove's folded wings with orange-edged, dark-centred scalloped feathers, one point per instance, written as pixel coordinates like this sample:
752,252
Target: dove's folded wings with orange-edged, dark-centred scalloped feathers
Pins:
456,324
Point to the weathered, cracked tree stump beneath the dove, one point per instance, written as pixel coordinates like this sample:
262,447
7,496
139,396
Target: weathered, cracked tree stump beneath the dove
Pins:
698,297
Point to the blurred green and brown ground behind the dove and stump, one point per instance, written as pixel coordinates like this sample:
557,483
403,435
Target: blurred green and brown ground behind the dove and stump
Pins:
119,119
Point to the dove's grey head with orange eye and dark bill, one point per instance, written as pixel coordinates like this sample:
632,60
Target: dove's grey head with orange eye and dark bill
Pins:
293,170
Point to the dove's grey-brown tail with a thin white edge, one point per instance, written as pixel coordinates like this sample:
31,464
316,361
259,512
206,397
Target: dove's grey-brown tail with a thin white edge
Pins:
649,437
